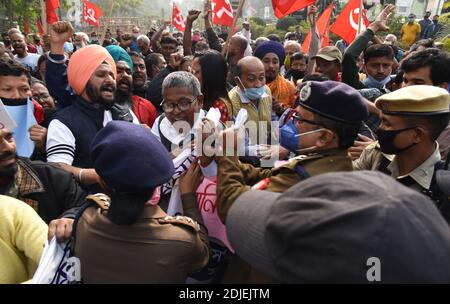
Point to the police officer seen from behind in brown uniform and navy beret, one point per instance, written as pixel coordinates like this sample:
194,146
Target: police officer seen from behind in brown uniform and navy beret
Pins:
126,237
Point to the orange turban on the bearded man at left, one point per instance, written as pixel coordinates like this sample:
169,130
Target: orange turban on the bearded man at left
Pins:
83,63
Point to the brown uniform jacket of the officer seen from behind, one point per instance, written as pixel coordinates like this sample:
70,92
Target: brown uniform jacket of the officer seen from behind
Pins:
155,249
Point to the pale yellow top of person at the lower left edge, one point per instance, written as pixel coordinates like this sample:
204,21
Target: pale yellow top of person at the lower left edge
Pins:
22,238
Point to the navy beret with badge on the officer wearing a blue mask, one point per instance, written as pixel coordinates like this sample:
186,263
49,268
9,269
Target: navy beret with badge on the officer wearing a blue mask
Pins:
334,100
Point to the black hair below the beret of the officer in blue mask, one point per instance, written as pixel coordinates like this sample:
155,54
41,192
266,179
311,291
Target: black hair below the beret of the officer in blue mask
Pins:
346,133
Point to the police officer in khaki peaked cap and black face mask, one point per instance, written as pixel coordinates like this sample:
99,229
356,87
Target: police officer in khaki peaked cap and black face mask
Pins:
412,119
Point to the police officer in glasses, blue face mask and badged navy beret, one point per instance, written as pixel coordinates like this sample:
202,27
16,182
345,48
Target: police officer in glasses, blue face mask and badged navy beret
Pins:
325,125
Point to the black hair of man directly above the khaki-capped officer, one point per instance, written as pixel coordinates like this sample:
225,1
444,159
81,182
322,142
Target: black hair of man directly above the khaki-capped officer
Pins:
437,60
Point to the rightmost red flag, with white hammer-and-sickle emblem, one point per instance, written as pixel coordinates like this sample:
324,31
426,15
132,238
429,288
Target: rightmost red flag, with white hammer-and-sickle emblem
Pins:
346,24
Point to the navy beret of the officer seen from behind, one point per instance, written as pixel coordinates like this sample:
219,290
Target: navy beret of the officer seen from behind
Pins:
129,158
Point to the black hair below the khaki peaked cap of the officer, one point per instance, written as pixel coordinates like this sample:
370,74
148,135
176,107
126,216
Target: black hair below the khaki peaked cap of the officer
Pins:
435,124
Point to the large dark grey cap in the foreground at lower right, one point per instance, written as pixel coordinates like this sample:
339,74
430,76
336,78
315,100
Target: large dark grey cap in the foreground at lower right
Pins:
347,227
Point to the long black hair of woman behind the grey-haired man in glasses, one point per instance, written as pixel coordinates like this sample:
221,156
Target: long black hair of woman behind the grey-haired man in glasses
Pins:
214,75
